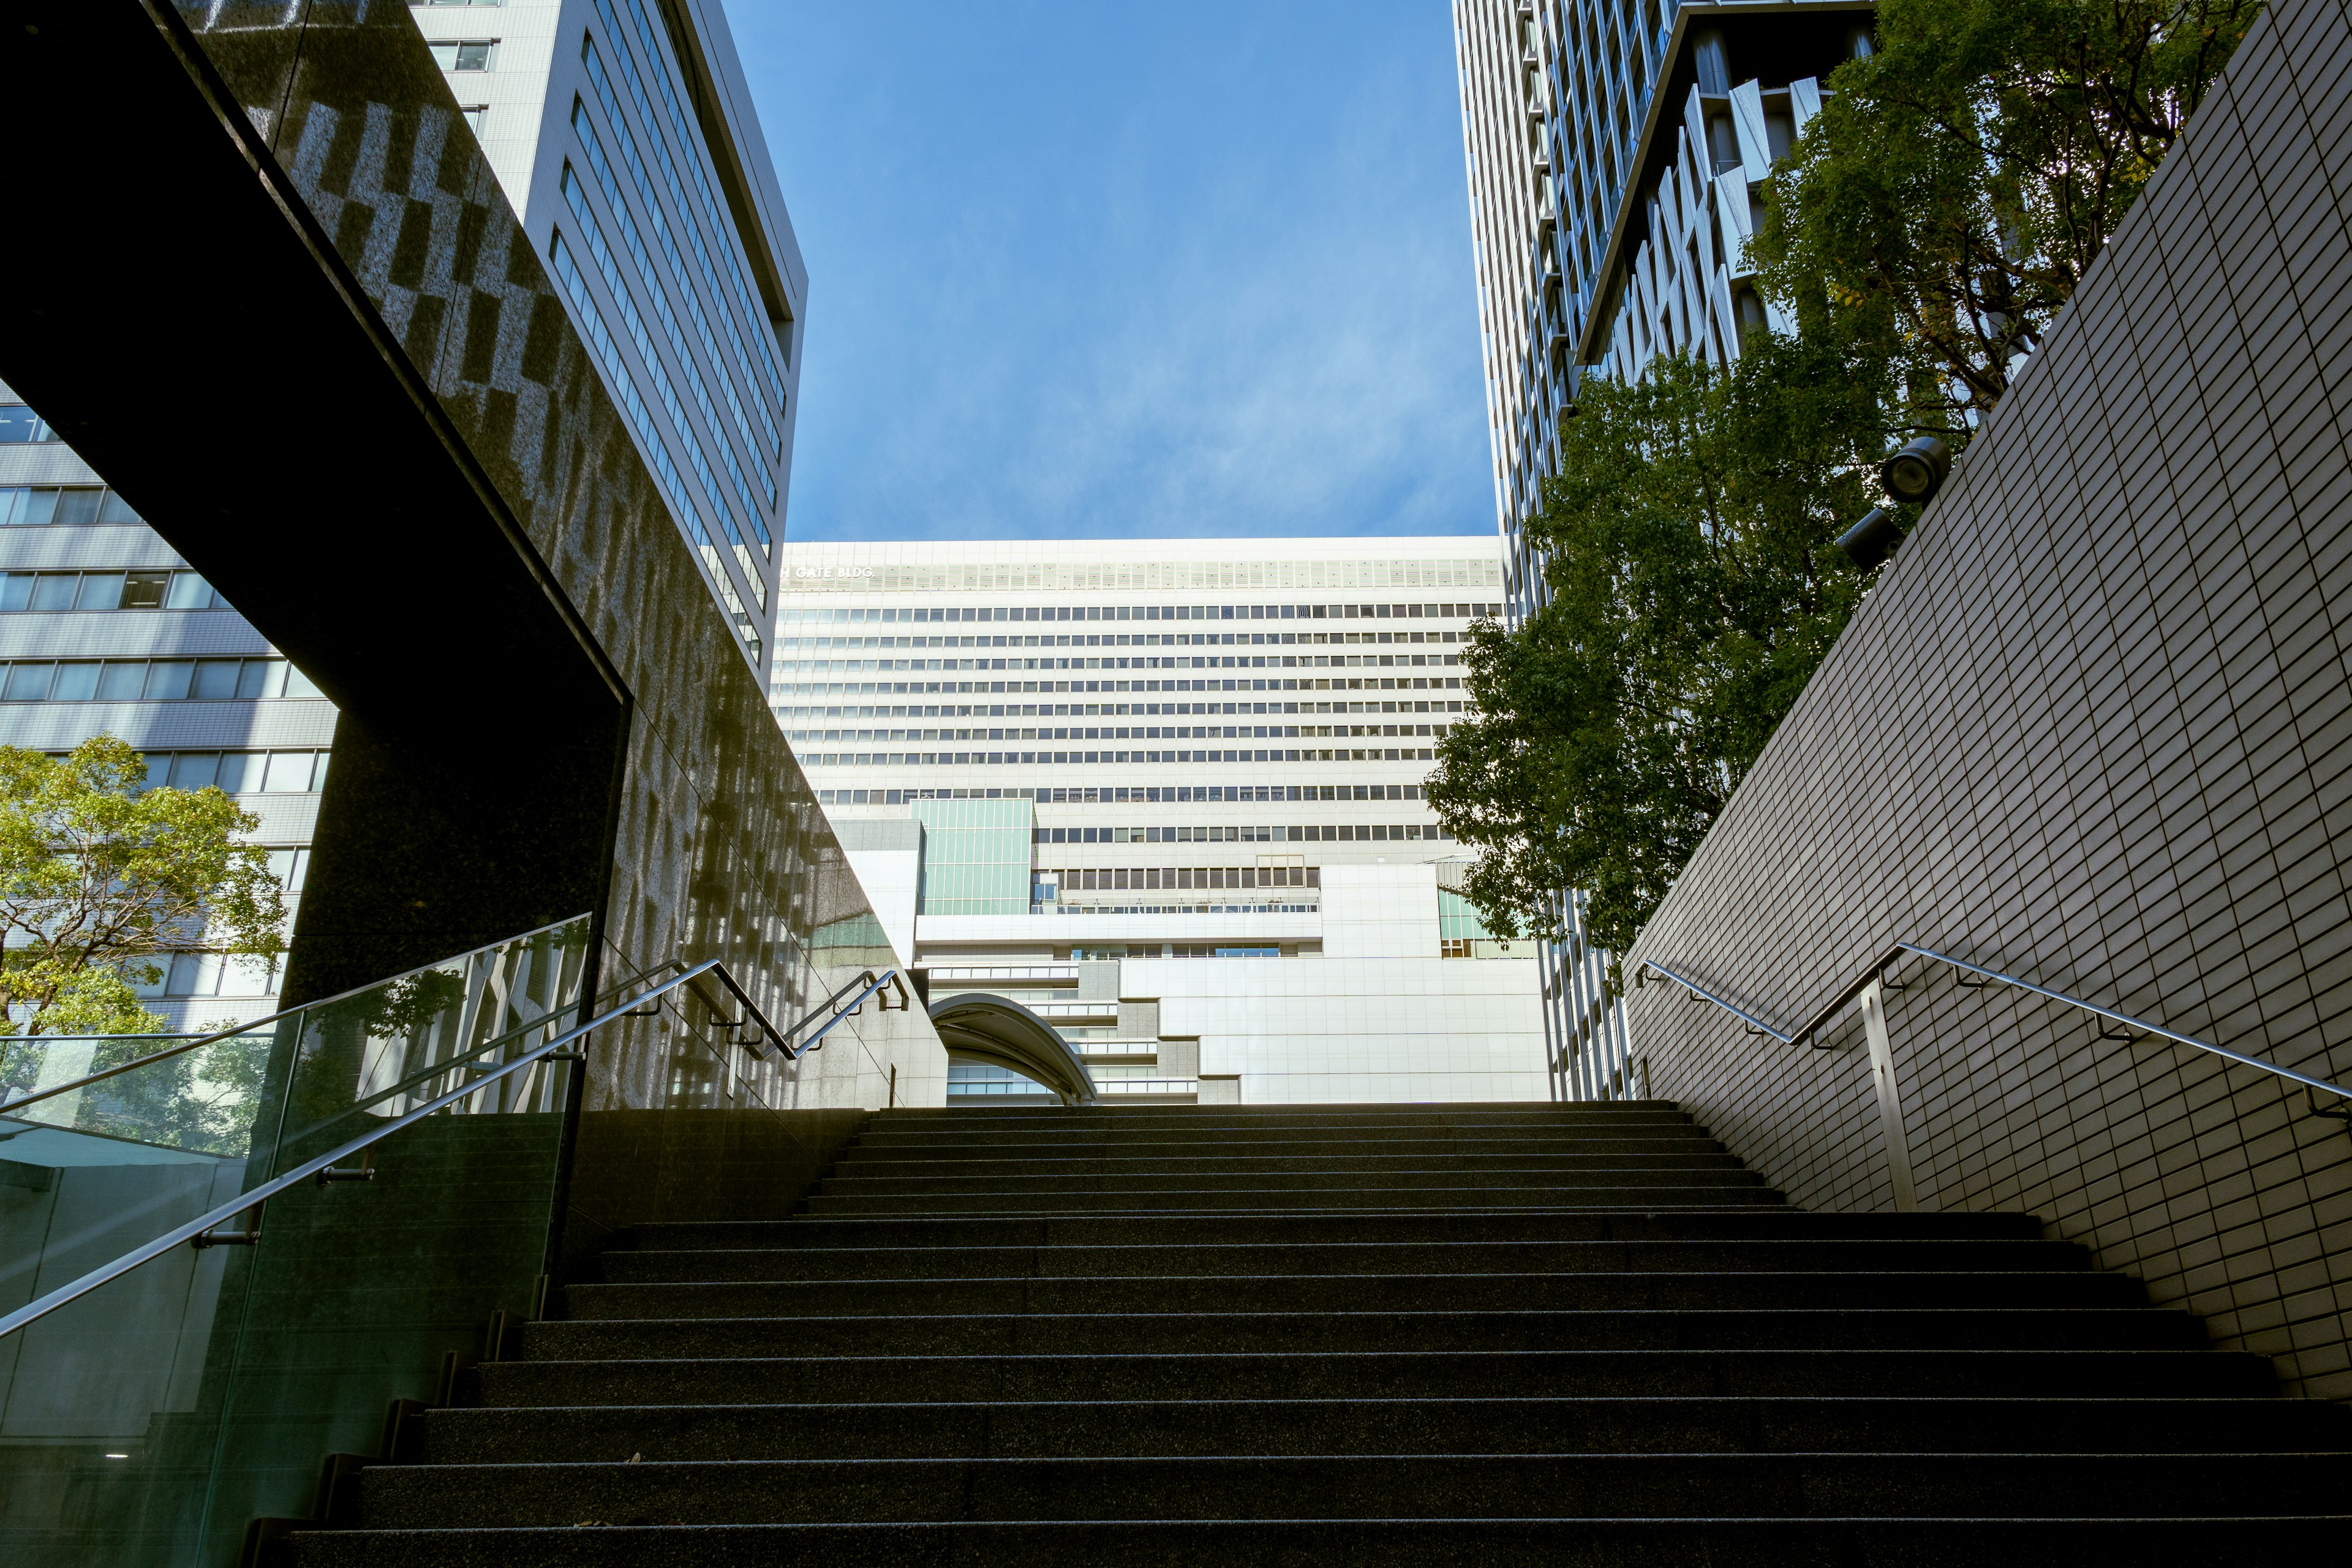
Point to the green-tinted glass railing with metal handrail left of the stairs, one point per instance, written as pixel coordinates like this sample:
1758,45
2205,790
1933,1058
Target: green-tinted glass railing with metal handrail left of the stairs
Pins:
154,1419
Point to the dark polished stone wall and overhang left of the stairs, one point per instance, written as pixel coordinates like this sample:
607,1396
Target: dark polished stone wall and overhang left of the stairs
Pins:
307,337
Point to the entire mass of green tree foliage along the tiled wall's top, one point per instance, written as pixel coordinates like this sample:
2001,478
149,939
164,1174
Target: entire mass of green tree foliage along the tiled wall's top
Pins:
1927,229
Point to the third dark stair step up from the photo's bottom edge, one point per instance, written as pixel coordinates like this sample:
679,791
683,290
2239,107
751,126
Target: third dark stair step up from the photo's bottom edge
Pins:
573,1435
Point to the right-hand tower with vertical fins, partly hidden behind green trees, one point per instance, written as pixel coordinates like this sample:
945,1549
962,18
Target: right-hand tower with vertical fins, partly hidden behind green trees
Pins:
1615,154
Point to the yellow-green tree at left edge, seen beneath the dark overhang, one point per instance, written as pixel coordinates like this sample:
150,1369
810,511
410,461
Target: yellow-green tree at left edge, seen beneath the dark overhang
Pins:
105,880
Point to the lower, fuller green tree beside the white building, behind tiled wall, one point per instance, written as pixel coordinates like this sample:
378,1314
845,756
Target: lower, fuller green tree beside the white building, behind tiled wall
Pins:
1695,587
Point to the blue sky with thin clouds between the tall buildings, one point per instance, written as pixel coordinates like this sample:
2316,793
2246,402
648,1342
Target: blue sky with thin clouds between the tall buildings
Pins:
1121,272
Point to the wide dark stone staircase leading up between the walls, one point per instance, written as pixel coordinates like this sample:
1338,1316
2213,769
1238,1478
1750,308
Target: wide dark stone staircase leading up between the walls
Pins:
1504,1334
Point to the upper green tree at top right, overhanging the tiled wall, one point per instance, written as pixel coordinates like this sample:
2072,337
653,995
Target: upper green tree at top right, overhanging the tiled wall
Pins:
1963,180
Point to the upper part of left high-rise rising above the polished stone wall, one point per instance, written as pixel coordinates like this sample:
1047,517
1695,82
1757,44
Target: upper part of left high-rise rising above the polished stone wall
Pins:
627,142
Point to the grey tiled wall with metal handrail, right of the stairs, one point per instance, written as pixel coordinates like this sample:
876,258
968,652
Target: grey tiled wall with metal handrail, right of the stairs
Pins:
2094,728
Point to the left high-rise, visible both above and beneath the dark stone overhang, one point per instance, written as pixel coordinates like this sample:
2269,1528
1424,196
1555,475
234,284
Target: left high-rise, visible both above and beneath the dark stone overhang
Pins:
624,140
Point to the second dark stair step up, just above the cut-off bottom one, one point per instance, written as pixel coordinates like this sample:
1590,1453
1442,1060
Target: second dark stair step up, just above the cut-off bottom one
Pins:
1351,1487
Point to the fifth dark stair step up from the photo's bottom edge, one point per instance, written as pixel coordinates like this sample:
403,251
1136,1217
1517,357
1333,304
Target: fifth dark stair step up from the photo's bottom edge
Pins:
733,1322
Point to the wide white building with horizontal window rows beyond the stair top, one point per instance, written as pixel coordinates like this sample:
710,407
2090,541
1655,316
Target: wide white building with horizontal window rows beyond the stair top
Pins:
1168,796
